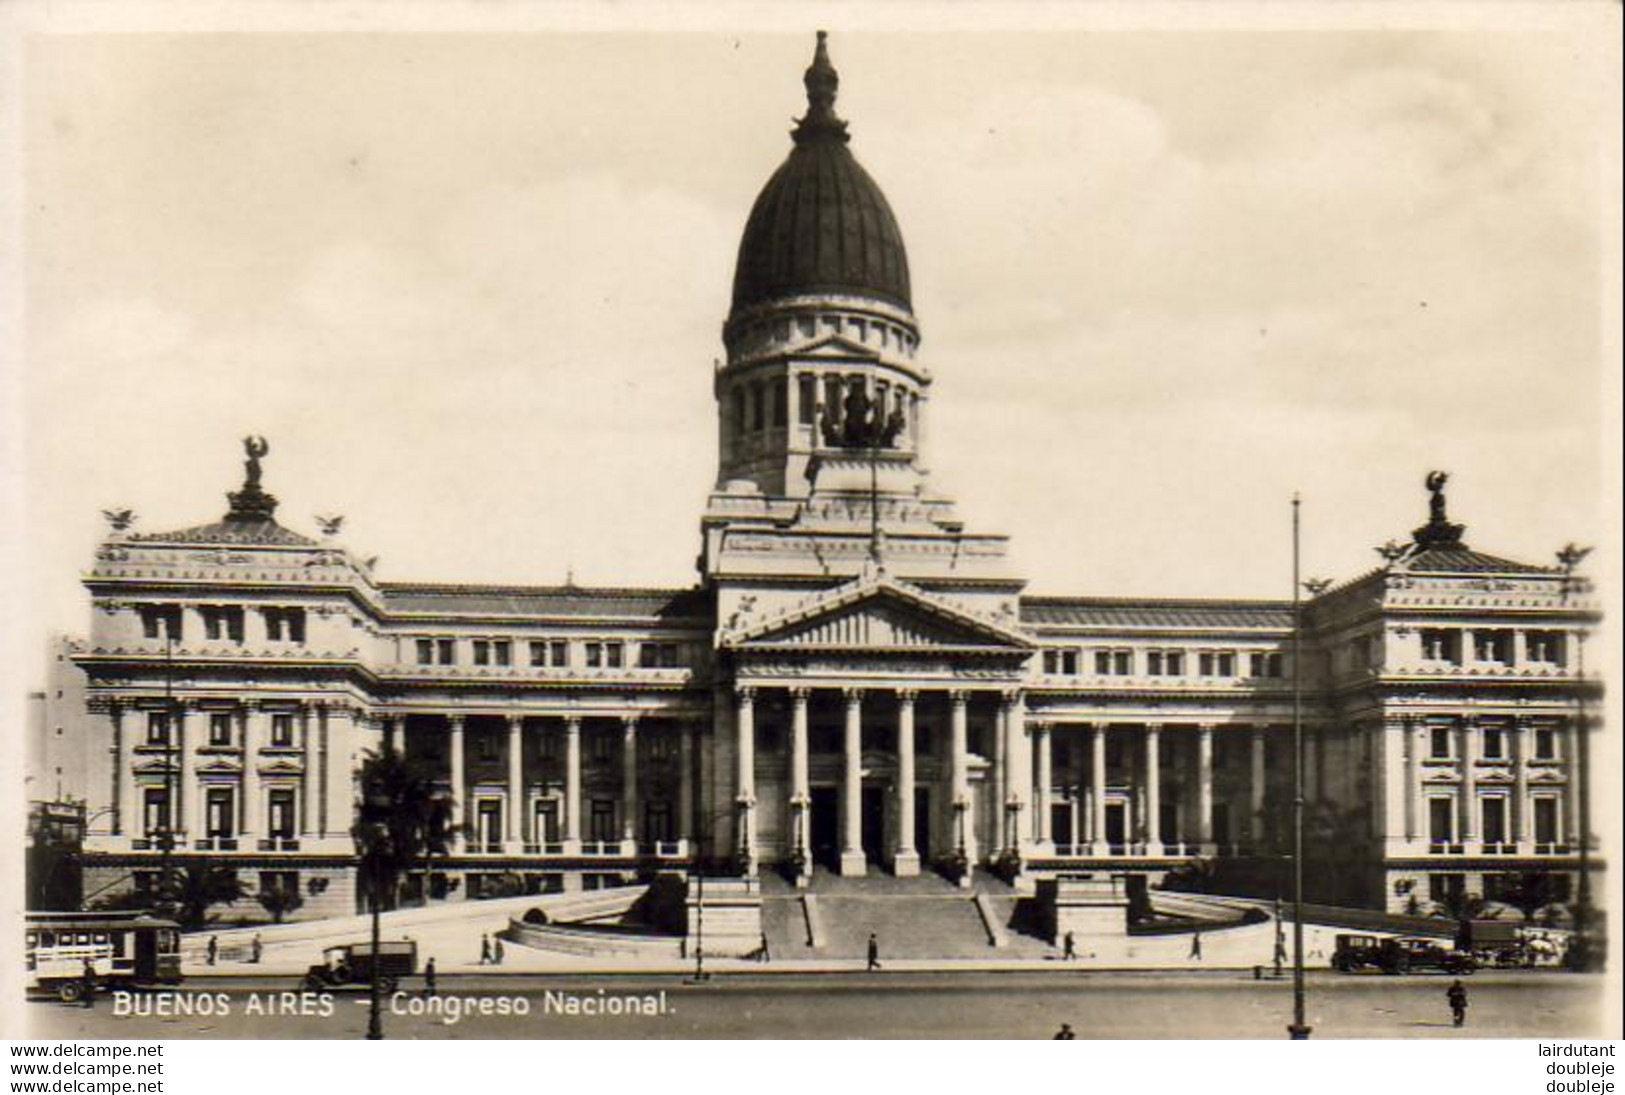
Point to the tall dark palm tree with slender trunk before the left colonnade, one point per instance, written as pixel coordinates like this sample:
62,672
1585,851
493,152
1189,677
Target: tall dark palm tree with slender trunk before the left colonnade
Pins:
404,818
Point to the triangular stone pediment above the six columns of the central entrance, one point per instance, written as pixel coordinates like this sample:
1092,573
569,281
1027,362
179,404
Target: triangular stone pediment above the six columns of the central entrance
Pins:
877,613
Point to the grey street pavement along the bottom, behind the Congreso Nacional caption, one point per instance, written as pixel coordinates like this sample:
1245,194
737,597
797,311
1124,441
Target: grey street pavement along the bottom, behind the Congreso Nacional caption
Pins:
856,1005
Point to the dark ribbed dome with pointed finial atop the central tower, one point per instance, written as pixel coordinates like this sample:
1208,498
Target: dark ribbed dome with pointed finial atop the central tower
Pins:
821,225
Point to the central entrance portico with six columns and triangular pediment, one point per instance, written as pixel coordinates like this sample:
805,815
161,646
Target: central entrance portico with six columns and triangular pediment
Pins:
901,719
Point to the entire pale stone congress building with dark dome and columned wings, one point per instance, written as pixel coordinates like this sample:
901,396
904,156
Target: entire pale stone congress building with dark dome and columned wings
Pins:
856,683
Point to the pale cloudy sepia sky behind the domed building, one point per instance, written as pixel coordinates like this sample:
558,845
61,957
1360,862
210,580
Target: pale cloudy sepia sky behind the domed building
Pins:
472,287
